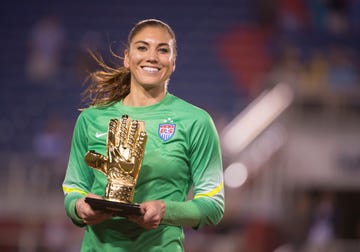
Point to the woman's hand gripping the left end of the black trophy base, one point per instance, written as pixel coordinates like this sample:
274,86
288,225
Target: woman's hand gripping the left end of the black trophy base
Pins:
87,214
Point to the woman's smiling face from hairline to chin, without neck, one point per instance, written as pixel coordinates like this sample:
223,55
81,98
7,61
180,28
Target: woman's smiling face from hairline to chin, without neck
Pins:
150,57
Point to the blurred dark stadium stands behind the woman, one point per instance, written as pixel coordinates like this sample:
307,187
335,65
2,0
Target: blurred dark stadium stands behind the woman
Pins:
295,182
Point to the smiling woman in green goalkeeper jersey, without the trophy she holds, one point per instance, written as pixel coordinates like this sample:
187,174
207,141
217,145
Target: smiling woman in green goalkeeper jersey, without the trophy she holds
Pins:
186,157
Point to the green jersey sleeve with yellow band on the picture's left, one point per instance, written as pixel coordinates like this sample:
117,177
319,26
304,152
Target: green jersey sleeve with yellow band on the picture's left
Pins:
79,177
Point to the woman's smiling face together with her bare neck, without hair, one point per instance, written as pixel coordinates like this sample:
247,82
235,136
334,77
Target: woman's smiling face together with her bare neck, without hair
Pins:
151,60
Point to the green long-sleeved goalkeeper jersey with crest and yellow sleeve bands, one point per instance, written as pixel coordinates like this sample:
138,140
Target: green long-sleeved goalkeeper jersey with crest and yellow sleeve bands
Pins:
182,154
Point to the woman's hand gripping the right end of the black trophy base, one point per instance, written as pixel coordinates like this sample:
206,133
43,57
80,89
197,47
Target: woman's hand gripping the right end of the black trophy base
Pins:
153,212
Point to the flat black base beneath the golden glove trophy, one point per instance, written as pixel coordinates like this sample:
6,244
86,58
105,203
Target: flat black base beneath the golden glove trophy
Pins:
116,208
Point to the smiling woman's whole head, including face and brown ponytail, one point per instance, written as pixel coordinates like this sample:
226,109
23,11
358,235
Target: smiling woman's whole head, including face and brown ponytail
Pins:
151,41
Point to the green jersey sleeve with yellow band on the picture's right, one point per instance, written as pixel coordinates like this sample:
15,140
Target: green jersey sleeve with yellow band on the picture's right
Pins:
207,205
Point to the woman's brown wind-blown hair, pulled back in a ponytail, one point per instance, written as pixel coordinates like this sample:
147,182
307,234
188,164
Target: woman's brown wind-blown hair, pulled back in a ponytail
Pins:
111,84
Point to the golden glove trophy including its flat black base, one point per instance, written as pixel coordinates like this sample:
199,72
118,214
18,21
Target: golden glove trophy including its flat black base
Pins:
125,148
